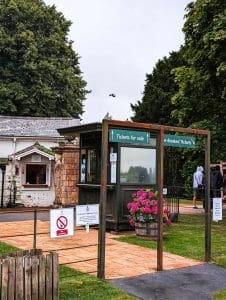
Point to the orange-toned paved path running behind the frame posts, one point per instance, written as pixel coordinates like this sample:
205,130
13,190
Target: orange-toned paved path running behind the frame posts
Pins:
80,251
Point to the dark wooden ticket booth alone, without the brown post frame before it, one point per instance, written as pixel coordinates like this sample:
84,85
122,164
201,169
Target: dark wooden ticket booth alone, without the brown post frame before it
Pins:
131,165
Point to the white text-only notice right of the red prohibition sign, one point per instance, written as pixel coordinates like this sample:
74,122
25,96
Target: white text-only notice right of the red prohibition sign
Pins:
87,214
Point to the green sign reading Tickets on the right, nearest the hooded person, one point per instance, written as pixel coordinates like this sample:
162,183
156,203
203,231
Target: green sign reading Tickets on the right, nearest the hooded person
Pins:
180,141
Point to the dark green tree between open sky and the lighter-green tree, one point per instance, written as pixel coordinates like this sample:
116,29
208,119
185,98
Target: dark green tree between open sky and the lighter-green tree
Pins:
156,105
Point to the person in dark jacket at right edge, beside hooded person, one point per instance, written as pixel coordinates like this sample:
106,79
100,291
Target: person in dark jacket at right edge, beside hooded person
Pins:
216,182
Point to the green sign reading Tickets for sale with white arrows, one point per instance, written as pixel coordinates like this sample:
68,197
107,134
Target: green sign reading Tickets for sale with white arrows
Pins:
129,136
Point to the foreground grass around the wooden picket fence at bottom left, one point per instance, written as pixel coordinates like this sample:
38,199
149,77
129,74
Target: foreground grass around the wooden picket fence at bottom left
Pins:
77,285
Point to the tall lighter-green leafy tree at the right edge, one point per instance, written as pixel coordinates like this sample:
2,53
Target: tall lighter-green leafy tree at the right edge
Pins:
201,98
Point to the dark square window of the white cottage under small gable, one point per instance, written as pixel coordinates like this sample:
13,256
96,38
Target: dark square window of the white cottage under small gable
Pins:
36,174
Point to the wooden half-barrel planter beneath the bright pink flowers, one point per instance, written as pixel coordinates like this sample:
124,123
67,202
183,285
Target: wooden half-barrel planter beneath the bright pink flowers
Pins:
147,231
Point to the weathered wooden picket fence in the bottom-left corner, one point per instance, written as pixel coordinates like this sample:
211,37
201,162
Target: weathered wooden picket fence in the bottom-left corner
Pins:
29,275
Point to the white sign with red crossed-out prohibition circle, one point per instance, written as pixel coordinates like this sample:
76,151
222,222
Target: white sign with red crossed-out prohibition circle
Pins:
61,222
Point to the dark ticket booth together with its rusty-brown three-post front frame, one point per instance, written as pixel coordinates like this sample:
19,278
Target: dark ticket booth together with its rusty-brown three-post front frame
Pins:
118,158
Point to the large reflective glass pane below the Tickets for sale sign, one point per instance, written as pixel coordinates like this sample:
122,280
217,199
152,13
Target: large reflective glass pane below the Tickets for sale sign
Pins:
138,165
